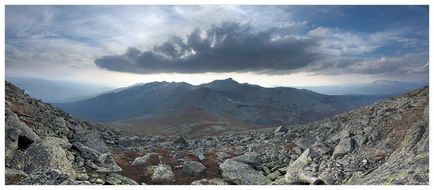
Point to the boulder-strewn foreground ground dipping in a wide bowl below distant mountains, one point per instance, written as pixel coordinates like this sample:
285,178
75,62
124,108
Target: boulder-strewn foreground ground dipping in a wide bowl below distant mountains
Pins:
45,145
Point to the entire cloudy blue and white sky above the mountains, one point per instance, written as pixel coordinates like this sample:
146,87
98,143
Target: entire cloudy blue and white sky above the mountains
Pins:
265,45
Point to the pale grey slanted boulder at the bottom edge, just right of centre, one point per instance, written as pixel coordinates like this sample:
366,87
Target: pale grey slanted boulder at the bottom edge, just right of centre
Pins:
242,174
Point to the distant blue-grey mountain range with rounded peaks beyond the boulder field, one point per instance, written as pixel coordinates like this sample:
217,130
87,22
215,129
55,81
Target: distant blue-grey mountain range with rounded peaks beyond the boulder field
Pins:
223,103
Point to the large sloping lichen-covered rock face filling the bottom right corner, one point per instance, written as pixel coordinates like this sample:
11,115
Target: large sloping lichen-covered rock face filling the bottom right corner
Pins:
406,165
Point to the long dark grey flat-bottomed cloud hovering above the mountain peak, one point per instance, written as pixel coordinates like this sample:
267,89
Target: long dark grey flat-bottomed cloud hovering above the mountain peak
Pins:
229,47
